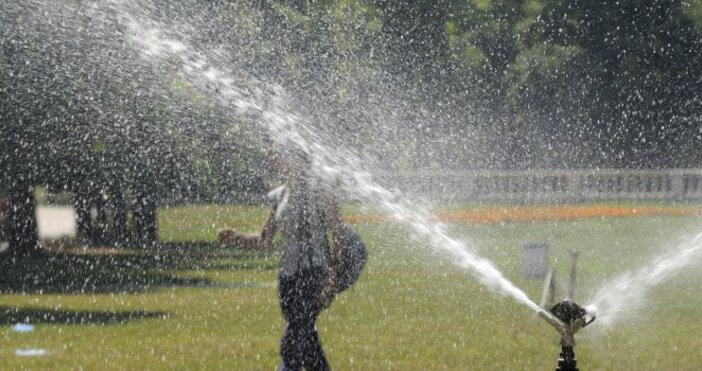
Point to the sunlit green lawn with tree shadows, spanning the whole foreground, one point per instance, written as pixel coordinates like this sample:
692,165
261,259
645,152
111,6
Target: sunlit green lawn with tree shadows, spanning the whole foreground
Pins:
198,306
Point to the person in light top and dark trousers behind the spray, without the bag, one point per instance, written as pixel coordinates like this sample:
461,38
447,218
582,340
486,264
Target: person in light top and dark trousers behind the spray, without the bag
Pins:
299,214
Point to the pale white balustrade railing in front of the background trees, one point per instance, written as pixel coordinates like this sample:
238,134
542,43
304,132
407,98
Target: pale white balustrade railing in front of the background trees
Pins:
553,185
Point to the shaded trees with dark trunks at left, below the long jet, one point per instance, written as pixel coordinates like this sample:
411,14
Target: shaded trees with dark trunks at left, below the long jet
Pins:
81,110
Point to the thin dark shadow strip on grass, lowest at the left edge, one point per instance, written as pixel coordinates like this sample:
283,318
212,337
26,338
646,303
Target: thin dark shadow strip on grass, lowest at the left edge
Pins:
10,316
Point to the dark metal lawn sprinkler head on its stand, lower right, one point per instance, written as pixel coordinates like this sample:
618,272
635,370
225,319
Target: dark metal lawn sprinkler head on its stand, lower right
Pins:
568,317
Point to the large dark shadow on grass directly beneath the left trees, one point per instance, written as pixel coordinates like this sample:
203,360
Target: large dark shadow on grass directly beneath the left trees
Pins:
98,270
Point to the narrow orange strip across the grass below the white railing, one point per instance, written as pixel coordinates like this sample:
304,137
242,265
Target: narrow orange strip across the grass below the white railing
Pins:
540,213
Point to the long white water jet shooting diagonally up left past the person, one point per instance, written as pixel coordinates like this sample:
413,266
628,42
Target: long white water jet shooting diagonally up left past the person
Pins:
341,167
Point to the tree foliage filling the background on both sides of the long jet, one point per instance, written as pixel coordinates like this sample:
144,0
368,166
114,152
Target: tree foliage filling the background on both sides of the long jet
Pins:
482,83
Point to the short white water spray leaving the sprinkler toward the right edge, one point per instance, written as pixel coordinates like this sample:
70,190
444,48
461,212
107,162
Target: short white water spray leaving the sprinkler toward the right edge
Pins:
624,295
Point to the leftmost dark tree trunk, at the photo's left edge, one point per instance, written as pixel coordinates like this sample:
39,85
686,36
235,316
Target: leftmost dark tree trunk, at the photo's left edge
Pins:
24,239
